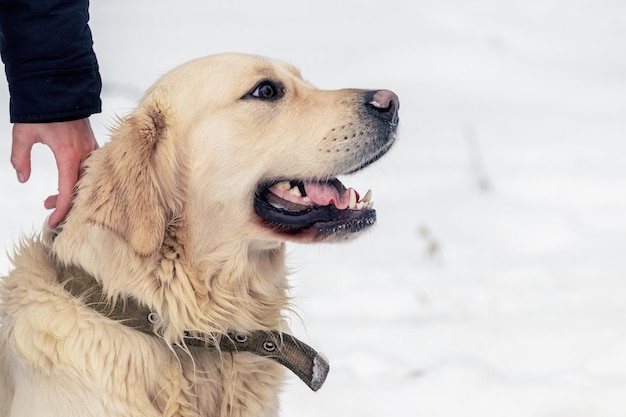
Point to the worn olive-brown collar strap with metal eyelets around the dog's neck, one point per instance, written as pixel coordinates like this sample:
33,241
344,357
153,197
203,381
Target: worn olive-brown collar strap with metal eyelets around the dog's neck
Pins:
310,366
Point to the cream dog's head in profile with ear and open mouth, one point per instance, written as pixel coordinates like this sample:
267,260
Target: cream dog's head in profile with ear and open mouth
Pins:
240,146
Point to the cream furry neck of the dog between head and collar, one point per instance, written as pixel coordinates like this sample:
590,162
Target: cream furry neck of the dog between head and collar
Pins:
234,287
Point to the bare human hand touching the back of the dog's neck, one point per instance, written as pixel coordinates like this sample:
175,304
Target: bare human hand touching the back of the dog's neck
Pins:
71,143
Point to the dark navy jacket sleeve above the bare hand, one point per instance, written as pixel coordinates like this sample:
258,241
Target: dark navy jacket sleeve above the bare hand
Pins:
50,64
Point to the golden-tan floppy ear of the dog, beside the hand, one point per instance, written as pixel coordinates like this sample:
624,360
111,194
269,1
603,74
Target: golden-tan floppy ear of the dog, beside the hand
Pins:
126,197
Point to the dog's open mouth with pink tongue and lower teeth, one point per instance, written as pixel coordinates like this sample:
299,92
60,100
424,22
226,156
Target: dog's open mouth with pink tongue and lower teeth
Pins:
318,208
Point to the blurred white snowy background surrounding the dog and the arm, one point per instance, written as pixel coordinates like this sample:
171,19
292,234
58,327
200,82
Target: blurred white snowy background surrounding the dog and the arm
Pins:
495,281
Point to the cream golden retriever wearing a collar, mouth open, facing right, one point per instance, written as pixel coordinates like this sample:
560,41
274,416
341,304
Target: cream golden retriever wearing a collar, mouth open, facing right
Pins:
164,291
